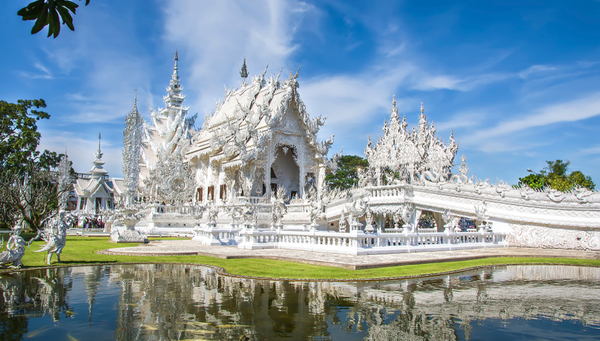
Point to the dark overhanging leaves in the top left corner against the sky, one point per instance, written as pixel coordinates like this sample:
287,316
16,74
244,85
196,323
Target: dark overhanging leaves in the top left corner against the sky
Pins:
47,13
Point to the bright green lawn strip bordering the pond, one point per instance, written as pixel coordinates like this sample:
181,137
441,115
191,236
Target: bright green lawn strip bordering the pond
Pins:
82,250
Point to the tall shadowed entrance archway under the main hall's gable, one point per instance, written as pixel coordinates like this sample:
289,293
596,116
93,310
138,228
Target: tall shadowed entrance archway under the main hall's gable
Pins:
285,171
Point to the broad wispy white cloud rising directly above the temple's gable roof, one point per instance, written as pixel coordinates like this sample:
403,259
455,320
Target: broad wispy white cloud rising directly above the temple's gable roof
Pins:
217,35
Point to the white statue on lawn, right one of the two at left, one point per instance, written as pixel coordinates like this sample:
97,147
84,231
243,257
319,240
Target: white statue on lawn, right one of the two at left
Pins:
54,234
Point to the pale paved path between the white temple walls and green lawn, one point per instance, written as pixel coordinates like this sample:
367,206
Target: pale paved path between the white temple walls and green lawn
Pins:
188,247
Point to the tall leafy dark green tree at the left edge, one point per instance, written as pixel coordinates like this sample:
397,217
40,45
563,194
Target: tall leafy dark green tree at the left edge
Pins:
28,186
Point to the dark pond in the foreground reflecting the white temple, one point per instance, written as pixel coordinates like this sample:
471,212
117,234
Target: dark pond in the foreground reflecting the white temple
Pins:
185,302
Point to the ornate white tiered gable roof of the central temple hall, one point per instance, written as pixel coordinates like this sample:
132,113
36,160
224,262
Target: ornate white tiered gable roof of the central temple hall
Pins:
245,120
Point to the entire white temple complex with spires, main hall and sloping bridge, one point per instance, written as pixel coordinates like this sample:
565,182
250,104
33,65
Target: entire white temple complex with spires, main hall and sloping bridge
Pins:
254,176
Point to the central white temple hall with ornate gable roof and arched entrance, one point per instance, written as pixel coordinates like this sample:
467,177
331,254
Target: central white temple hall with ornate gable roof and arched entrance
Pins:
259,140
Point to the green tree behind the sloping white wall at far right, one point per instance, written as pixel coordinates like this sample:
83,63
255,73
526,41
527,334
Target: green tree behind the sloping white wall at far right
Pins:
555,175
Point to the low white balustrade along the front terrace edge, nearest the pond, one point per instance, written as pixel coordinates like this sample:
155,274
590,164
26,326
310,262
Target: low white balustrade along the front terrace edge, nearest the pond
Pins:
359,242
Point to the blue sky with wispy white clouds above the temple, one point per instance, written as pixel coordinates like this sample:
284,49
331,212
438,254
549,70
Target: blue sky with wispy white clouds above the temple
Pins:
519,83
